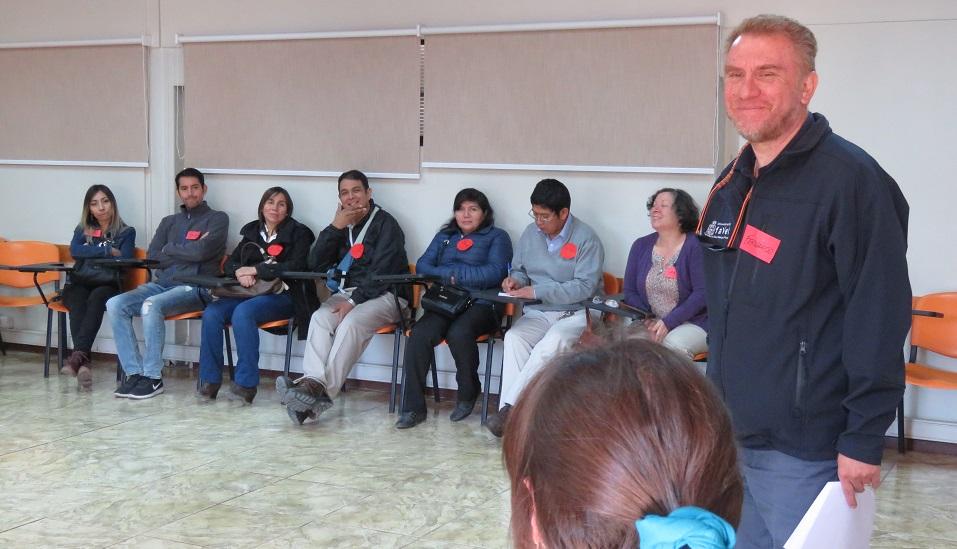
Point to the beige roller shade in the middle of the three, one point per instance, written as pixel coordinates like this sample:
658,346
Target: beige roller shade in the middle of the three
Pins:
324,105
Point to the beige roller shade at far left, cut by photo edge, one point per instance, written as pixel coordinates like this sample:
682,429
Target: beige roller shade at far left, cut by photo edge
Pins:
74,104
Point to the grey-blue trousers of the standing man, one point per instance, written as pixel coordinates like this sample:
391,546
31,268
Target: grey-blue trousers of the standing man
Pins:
778,491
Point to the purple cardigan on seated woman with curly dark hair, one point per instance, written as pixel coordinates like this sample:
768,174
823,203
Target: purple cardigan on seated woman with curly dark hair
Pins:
692,306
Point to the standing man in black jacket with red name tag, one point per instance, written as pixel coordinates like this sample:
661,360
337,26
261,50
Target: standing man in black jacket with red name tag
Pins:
808,293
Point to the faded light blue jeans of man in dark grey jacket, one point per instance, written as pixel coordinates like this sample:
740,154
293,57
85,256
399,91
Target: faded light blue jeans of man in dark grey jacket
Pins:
154,303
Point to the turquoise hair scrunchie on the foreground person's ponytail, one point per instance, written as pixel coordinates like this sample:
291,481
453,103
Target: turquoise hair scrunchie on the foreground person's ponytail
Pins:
692,527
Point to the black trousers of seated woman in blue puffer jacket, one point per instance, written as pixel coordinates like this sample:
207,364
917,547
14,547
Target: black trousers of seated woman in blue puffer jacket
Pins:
460,333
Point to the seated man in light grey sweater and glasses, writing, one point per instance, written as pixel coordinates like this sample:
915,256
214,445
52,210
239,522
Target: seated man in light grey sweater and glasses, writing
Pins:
559,261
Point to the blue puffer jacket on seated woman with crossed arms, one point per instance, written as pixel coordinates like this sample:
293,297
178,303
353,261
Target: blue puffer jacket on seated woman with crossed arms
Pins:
482,266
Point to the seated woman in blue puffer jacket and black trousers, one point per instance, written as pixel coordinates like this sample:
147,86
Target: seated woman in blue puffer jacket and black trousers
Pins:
470,252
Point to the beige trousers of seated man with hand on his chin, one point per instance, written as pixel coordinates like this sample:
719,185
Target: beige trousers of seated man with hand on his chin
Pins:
333,346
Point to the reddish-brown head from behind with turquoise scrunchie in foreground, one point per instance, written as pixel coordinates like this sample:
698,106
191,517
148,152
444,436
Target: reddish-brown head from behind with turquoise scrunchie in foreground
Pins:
650,462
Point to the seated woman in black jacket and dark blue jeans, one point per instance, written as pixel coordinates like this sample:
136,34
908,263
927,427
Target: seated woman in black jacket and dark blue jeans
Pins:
273,243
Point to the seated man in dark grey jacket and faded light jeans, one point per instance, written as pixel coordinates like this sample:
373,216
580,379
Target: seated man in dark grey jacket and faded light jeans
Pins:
190,242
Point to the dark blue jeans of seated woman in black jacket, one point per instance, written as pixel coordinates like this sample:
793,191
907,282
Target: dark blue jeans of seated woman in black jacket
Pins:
245,315
